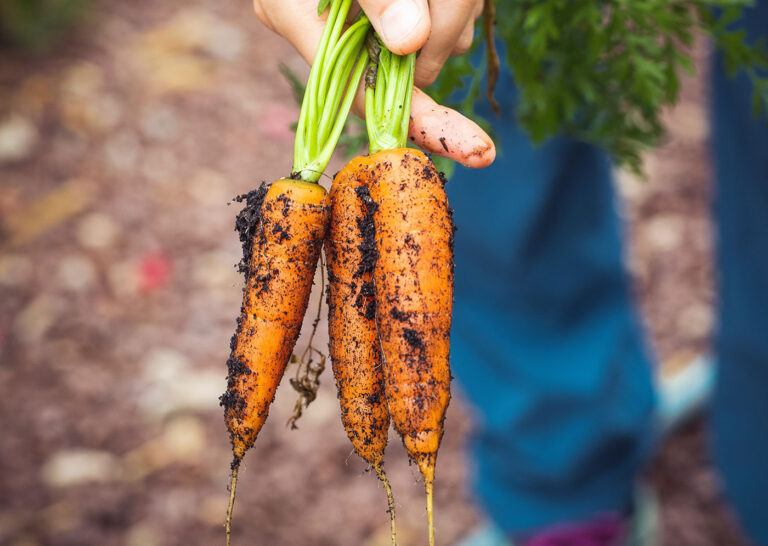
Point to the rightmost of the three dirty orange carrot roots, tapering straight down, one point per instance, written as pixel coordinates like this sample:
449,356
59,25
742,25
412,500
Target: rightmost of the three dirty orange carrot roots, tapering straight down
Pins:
413,280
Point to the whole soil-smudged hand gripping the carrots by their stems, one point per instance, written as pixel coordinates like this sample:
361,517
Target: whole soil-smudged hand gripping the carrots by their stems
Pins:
444,29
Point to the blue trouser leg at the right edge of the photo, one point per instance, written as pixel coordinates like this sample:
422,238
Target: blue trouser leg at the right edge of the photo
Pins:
741,209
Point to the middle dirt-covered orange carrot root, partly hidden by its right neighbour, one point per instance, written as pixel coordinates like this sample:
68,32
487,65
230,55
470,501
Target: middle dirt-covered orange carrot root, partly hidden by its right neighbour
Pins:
354,344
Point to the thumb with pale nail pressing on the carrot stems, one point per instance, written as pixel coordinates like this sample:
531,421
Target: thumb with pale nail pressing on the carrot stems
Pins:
403,25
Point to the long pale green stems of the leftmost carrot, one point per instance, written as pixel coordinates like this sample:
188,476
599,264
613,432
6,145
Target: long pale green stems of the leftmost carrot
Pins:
336,72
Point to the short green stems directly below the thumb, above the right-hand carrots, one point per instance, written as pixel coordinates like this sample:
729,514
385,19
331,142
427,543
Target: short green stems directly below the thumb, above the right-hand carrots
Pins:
388,93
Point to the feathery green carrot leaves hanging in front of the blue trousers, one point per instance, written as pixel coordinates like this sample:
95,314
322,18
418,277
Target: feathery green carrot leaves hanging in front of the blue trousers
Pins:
602,70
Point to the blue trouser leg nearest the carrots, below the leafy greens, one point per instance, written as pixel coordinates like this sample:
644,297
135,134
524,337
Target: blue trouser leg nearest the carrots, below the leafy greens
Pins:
546,345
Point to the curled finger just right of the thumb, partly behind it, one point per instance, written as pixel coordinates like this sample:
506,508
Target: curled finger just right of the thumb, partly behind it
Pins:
449,21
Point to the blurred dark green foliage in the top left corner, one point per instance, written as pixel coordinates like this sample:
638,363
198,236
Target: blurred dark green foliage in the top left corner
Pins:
37,24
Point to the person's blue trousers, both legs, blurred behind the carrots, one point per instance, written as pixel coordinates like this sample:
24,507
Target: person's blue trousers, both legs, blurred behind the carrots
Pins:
546,342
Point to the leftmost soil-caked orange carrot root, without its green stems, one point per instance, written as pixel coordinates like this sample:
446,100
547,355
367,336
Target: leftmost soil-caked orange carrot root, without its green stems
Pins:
282,229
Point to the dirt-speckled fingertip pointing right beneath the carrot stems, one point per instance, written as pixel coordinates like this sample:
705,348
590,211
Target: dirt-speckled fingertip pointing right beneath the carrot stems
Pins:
447,133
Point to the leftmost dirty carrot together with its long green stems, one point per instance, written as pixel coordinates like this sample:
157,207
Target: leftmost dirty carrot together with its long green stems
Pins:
282,229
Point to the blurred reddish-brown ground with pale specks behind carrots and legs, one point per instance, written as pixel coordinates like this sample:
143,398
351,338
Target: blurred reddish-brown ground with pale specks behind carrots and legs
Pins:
125,130
